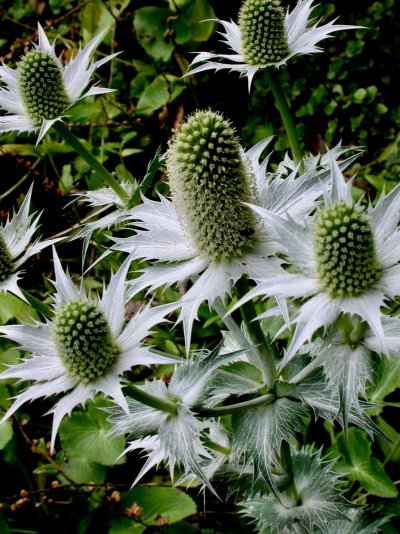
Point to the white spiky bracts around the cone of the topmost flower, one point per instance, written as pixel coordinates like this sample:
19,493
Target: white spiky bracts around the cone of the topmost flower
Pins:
302,37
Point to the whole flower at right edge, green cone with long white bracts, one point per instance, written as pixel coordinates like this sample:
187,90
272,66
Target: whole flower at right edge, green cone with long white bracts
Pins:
345,260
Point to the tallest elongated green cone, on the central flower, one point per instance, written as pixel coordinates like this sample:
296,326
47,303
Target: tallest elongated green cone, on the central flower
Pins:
209,184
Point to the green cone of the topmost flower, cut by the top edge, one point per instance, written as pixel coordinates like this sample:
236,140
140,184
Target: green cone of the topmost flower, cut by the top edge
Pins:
262,32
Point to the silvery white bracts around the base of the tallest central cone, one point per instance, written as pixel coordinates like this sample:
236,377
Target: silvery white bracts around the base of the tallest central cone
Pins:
162,237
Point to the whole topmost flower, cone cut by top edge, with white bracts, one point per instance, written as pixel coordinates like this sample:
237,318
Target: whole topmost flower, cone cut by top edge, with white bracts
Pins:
265,36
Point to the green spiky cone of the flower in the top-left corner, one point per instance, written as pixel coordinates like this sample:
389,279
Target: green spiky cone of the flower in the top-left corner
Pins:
41,86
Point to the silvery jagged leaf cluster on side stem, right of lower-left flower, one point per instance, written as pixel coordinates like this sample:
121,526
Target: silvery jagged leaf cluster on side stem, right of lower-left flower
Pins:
179,438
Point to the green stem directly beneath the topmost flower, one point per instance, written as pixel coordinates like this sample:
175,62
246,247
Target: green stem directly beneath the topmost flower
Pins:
287,118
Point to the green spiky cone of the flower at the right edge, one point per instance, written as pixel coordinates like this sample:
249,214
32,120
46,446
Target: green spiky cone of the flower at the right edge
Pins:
344,250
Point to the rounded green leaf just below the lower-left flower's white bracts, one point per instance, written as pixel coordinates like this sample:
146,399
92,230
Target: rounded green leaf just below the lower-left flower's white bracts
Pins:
86,434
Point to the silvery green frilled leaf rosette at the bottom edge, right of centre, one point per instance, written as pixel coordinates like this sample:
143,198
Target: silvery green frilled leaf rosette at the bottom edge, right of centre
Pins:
311,501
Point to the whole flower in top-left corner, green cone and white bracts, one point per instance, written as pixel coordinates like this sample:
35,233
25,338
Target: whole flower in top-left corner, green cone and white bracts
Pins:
40,90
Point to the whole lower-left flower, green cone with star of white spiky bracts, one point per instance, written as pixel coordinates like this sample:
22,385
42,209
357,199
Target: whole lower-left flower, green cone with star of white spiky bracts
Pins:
85,348
